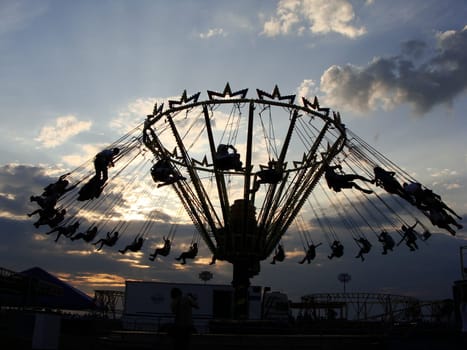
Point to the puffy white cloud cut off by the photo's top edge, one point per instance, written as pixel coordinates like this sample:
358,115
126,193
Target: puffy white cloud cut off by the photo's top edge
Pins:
316,16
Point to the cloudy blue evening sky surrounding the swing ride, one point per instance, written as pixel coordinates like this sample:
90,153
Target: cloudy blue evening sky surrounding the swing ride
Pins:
76,74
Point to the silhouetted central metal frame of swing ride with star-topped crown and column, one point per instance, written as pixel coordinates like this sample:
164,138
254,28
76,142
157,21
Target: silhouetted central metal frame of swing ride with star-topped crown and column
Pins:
232,230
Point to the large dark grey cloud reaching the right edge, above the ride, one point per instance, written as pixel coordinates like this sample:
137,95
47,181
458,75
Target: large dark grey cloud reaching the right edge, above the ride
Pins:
390,81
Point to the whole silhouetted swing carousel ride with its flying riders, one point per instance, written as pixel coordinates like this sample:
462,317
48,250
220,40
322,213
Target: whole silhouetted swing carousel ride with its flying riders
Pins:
246,171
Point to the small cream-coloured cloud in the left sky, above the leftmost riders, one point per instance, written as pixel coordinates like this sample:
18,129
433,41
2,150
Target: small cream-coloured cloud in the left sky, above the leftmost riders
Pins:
65,127
